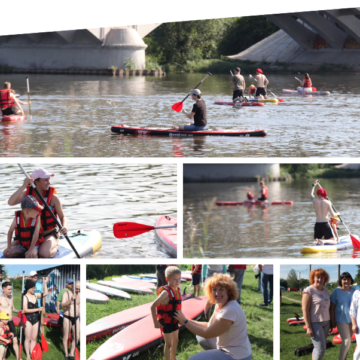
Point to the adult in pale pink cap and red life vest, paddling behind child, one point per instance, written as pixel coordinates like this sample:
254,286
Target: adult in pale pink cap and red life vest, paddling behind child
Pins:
41,178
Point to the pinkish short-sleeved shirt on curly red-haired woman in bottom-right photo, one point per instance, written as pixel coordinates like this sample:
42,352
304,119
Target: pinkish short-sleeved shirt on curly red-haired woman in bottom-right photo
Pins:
320,304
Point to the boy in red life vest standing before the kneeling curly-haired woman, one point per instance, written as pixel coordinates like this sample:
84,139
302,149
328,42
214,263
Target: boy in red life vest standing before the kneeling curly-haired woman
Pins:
164,308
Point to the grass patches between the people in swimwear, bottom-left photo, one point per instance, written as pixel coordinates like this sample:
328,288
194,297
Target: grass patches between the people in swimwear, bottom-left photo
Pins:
52,335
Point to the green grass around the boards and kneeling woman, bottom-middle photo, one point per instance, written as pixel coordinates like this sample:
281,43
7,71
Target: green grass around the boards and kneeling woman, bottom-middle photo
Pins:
259,322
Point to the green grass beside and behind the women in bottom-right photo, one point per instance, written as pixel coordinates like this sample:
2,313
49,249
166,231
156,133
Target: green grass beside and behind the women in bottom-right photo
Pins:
293,337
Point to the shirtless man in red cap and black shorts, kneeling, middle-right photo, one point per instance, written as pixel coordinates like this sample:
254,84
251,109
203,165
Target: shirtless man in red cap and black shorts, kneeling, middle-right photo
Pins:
322,209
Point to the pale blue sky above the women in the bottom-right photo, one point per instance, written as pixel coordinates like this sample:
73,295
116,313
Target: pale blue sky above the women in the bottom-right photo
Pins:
332,270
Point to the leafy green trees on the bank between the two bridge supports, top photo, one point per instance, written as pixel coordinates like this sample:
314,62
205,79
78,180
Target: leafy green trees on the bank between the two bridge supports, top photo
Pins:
203,45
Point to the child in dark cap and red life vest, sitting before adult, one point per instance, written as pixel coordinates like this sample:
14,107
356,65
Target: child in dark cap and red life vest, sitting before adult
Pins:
28,233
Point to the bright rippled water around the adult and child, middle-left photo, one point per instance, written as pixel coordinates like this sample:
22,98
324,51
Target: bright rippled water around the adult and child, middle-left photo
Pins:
95,196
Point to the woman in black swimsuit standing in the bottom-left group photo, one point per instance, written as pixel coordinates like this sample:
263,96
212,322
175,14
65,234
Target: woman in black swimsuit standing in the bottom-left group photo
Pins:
32,312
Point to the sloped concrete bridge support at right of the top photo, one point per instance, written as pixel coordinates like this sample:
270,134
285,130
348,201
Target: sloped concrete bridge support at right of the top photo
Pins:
310,38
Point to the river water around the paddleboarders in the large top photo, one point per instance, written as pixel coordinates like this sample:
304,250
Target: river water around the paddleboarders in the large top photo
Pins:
73,114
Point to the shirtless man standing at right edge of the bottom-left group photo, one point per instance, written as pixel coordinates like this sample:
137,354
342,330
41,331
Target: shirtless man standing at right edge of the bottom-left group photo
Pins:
67,304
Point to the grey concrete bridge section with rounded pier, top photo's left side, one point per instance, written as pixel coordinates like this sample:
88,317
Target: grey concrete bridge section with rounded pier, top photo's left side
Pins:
98,48
